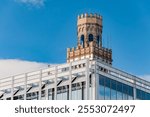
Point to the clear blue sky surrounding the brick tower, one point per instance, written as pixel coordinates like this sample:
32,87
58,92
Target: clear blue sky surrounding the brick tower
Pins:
41,30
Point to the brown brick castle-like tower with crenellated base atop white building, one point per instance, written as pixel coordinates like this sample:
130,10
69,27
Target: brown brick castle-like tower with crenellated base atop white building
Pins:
89,34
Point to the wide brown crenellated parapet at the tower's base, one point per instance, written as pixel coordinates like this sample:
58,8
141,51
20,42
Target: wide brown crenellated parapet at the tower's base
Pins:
92,52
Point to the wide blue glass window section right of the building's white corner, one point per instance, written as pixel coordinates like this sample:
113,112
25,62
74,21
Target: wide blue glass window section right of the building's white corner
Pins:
113,90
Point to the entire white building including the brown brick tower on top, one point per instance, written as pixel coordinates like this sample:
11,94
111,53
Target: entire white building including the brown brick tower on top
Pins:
88,73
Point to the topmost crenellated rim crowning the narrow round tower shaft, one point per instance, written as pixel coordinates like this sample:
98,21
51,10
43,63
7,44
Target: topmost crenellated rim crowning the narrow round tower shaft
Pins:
86,15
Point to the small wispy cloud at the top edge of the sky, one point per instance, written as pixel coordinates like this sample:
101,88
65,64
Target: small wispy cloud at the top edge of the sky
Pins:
32,2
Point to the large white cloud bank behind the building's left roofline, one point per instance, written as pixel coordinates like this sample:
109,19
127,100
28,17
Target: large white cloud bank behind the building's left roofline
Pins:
9,67
